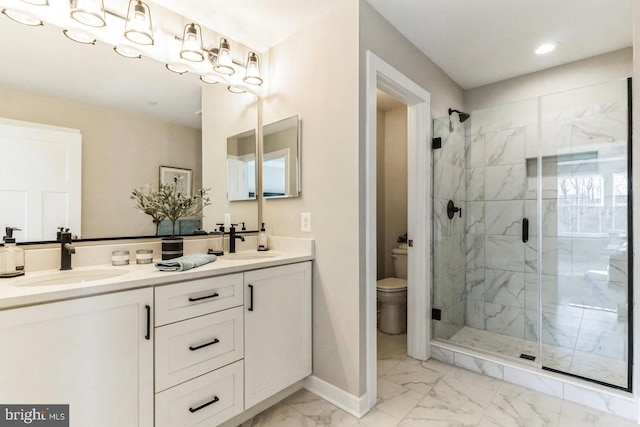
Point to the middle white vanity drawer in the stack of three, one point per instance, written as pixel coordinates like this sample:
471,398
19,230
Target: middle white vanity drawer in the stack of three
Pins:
196,346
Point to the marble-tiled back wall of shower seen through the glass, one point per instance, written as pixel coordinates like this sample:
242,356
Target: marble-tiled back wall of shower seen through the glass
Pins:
502,293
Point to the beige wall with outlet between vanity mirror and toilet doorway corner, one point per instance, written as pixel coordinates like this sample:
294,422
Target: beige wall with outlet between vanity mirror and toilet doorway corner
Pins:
314,74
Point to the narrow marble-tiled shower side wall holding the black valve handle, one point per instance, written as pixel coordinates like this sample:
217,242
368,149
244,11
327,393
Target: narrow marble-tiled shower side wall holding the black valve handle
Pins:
449,234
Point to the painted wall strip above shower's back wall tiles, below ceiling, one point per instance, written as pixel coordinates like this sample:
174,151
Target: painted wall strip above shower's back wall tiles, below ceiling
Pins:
598,69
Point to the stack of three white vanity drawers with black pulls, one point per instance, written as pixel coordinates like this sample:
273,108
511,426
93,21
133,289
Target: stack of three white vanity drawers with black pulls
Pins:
198,351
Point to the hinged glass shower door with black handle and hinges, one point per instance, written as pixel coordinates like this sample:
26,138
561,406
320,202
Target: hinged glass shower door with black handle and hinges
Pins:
489,303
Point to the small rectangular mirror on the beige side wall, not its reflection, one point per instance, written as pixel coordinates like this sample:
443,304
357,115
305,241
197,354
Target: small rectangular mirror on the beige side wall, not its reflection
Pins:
281,159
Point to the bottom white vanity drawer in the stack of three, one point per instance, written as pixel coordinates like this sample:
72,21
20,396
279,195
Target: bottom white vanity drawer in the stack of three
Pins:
184,405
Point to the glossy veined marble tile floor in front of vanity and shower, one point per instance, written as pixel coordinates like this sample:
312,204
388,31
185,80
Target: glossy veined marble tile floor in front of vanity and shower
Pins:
435,394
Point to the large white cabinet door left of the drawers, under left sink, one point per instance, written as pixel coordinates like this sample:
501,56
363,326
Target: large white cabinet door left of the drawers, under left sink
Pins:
91,353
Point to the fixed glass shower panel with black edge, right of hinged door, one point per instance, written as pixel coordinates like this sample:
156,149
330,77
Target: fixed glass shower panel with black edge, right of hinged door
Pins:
585,245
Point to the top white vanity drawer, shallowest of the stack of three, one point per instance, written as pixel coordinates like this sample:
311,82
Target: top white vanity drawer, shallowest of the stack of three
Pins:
185,300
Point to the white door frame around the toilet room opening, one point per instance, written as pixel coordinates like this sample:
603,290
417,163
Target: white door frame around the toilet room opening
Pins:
381,75
